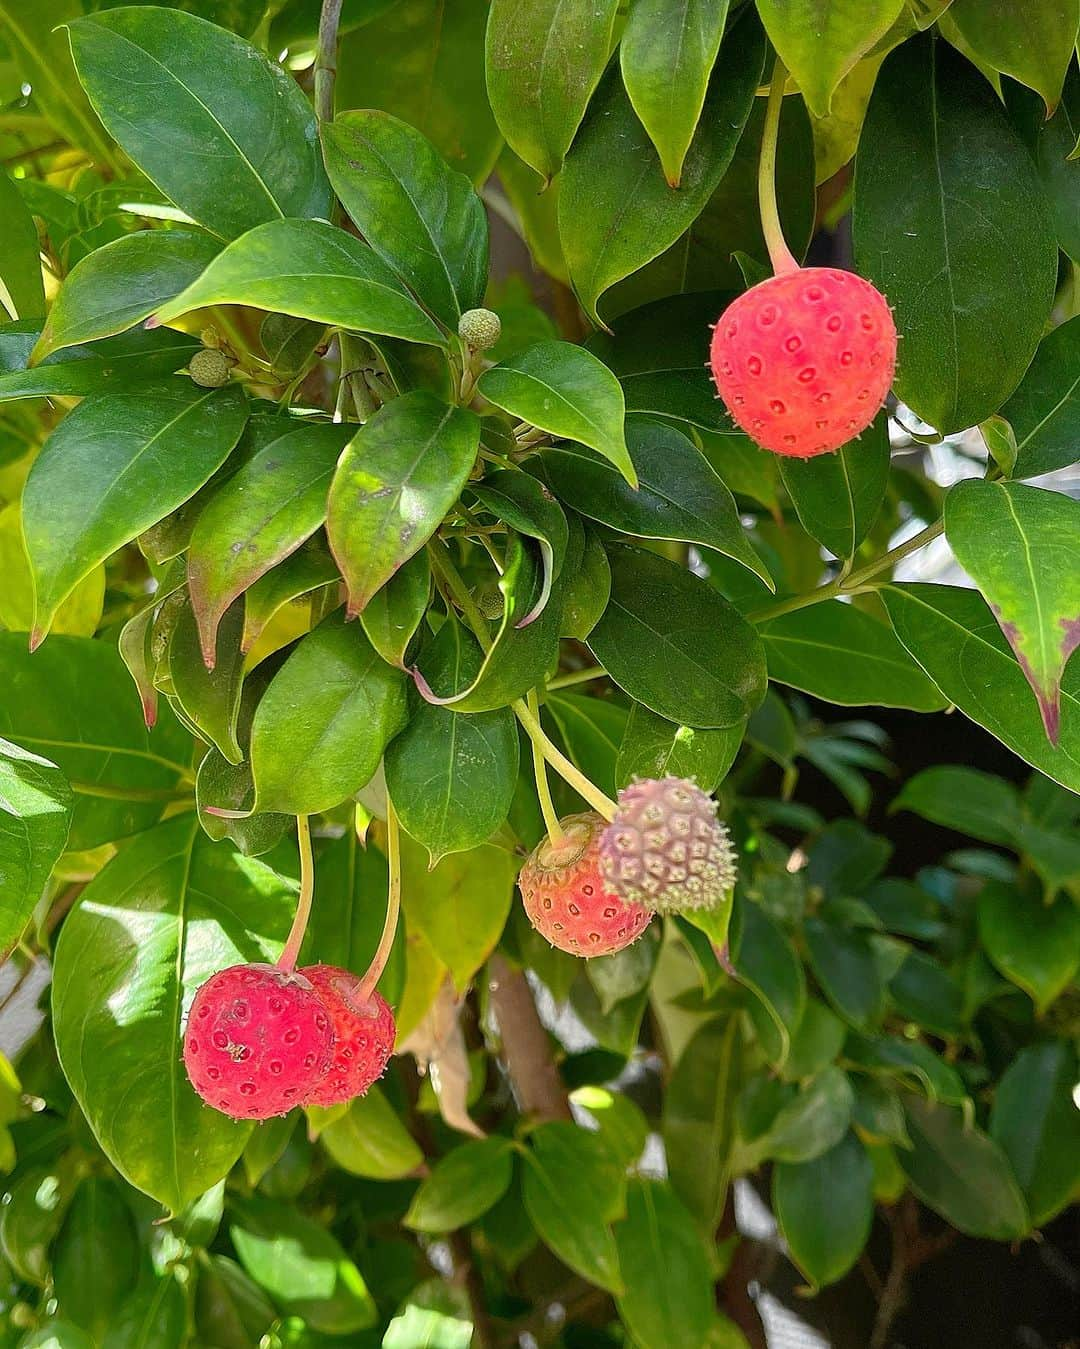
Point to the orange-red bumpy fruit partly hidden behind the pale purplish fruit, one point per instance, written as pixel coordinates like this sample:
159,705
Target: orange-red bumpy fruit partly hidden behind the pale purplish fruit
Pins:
567,899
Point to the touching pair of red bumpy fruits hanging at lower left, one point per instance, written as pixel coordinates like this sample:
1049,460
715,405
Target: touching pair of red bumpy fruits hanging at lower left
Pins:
262,1041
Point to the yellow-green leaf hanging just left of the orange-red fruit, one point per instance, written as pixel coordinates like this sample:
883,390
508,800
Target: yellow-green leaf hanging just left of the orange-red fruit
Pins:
460,906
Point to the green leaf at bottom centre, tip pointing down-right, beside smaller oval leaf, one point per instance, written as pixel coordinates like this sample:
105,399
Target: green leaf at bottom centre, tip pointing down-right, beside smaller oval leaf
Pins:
572,1193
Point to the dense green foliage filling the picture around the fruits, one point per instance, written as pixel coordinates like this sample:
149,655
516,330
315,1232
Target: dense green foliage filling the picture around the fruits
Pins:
277,543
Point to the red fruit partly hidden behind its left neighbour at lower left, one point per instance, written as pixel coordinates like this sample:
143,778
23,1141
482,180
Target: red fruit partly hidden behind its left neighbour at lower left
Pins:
365,1035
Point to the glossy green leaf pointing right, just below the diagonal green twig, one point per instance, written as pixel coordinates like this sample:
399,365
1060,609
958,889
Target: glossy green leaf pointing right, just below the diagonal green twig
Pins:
841,654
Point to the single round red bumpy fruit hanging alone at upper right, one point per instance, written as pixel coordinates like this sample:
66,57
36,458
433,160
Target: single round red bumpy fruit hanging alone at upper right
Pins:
804,361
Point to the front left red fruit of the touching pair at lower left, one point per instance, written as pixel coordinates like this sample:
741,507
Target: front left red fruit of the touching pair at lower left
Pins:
258,1042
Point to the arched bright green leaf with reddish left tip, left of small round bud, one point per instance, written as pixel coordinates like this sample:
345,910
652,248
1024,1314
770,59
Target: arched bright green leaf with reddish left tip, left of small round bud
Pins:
311,270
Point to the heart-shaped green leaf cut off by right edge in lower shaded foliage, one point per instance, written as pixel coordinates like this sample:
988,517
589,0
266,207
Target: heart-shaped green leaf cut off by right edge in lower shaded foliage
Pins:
1035,945
